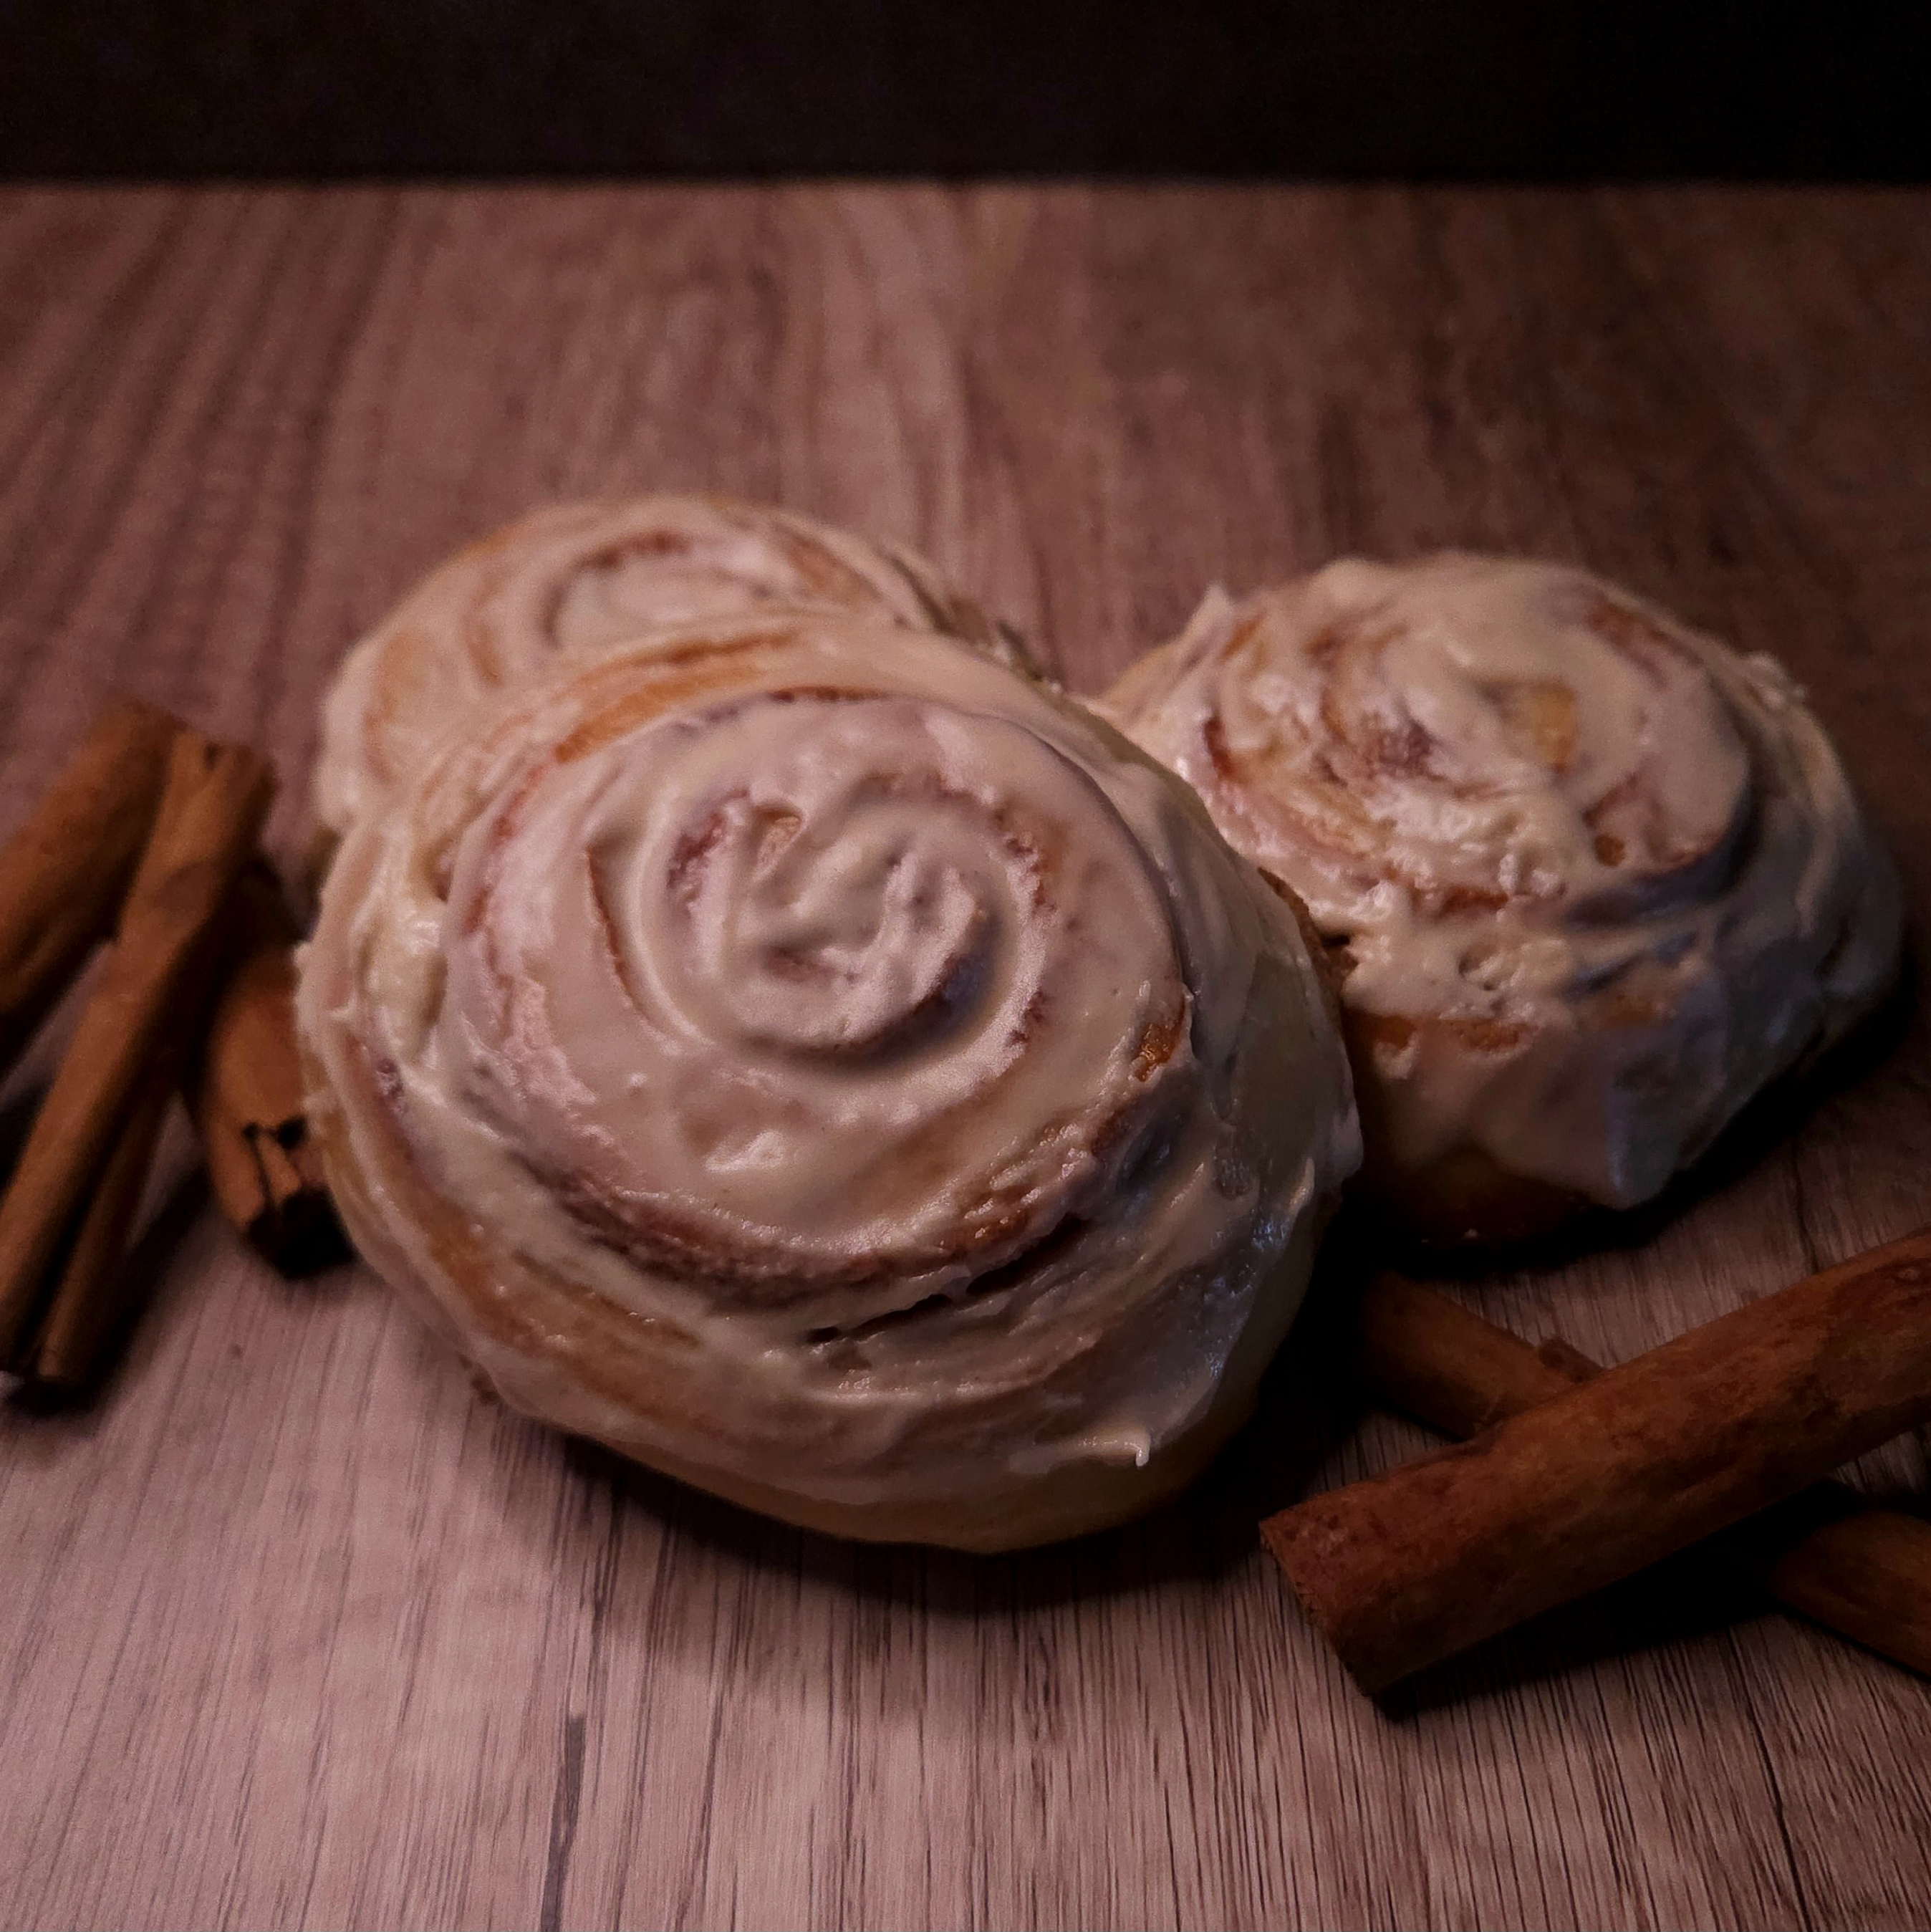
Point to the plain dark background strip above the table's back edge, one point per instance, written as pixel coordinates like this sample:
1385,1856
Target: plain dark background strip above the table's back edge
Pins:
1407,88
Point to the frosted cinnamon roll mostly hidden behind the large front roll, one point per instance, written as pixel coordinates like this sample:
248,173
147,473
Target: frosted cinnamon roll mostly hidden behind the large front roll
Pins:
590,577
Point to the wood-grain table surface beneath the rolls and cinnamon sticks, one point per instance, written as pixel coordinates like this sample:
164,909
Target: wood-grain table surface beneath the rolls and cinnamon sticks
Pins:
300,1632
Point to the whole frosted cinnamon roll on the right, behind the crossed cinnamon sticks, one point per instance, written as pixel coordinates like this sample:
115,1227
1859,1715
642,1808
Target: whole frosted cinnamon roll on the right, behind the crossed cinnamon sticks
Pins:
1594,880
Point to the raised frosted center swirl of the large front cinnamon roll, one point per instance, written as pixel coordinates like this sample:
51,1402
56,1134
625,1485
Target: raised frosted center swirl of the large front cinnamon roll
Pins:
814,992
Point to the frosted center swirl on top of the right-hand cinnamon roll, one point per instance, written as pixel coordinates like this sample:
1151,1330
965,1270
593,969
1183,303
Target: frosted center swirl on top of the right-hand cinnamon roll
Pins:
1490,741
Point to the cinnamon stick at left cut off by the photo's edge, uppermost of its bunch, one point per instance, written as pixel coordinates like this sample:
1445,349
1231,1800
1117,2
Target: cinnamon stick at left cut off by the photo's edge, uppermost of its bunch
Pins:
65,872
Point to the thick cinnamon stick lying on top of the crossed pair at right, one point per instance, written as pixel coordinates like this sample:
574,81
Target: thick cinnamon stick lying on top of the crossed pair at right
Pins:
1619,1471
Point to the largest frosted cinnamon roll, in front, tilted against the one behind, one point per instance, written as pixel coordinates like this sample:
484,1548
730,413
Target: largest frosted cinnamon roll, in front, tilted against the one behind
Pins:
831,1069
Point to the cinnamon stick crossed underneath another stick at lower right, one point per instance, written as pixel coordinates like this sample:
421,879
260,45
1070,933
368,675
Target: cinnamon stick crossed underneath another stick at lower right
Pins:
1864,1574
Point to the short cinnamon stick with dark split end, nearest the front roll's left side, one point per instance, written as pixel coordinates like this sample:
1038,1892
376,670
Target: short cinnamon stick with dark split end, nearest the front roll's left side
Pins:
244,1093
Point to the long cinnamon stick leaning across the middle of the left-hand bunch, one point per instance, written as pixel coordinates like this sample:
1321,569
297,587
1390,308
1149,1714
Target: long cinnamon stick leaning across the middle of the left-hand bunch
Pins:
150,992
